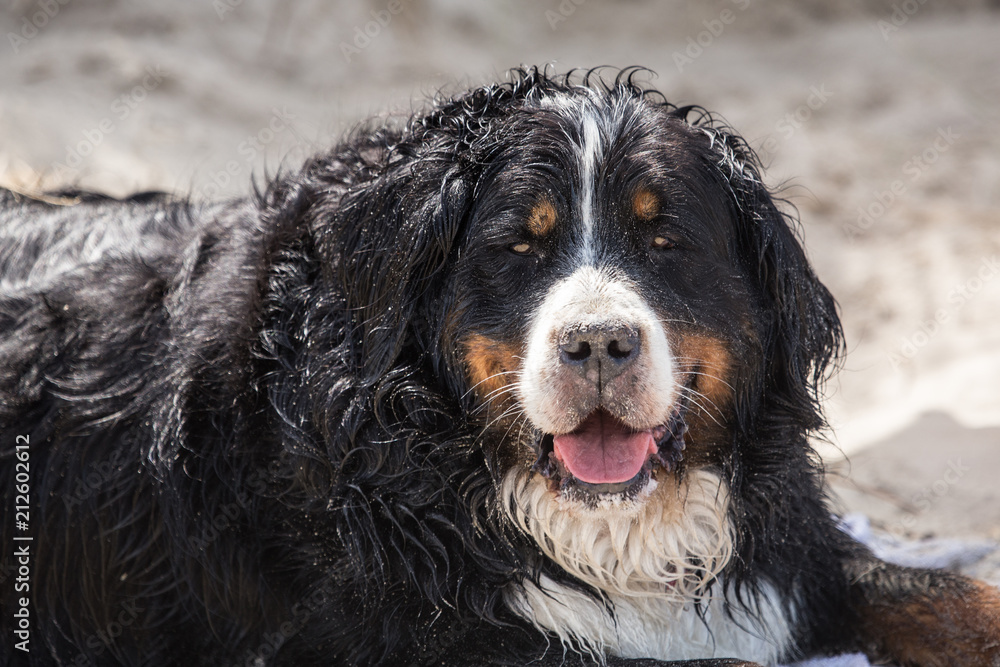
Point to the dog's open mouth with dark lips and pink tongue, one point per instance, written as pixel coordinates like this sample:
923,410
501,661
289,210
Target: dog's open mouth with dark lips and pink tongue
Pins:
605,457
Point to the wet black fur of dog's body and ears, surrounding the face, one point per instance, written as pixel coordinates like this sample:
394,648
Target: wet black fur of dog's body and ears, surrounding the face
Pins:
251,432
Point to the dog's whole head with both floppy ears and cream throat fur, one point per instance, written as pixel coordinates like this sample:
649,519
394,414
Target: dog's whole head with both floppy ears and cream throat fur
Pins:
604,284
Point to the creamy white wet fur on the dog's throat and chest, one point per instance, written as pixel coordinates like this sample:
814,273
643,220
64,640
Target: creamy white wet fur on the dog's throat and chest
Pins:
650,558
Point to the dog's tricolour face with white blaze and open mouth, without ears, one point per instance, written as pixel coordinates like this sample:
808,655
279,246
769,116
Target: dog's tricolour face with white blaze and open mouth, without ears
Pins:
606,309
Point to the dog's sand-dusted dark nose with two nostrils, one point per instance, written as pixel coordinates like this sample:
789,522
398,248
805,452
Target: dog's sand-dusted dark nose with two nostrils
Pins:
599,352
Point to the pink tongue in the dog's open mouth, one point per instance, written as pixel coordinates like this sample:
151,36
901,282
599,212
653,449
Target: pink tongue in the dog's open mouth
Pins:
603,450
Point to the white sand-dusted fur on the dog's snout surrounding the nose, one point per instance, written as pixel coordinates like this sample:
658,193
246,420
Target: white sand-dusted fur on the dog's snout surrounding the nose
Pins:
642,396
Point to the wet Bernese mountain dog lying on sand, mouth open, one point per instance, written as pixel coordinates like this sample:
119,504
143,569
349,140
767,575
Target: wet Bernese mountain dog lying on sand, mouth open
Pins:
526,379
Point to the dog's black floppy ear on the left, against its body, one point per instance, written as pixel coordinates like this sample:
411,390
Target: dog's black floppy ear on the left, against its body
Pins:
396,234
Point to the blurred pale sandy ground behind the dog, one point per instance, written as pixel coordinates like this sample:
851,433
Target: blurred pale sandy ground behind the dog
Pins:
878,117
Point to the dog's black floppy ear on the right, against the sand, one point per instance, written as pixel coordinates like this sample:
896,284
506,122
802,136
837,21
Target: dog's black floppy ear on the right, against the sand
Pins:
802,334
